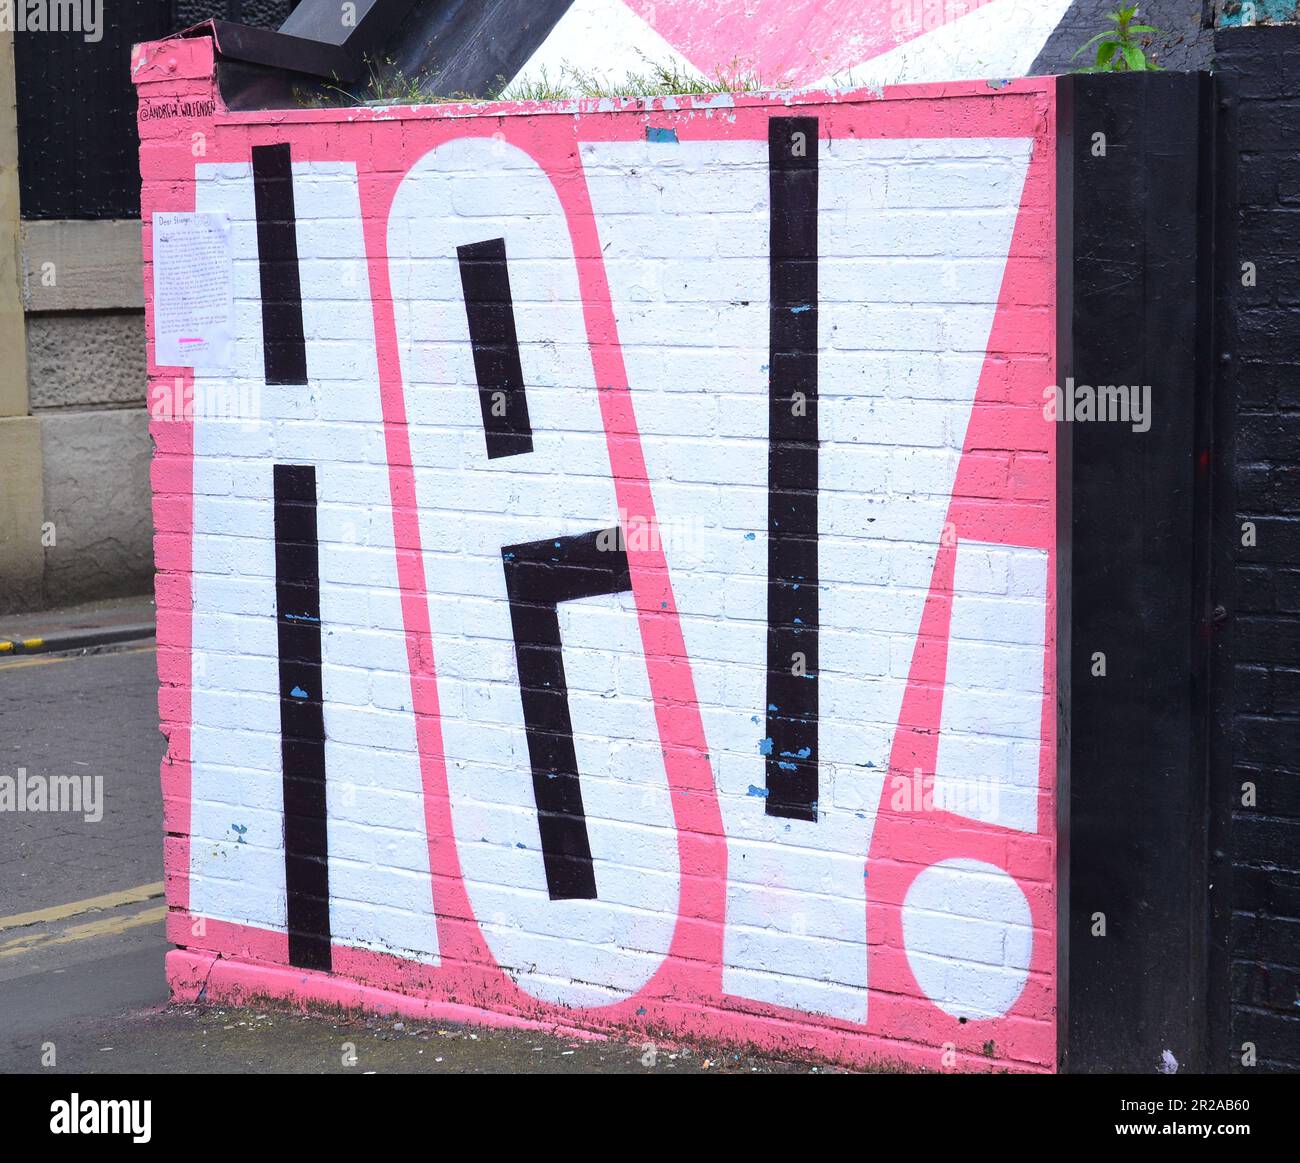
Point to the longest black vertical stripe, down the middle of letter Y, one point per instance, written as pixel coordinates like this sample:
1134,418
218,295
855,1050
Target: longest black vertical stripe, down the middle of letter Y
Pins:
792,472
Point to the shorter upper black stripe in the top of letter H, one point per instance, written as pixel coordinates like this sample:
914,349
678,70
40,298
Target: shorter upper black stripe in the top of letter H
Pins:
283,344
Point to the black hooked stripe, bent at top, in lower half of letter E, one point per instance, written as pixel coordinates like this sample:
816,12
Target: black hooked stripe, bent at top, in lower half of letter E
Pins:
539,576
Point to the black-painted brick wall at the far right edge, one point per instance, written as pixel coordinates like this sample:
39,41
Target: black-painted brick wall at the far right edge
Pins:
1256,850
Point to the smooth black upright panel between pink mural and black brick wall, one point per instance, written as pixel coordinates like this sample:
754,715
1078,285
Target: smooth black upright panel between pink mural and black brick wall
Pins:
1134,249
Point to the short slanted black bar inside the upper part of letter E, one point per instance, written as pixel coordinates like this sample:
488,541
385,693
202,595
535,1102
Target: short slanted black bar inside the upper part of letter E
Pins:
491,313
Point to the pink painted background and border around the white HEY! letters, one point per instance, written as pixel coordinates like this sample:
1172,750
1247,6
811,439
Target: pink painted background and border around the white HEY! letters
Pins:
686,996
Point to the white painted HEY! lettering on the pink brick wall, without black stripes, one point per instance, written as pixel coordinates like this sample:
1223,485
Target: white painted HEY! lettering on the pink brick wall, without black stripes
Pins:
915,244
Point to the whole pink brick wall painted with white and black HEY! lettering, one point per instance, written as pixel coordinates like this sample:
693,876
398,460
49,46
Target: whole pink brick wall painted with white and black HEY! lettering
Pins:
622,596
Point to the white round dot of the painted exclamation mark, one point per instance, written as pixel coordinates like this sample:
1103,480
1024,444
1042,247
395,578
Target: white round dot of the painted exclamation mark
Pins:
969,936
